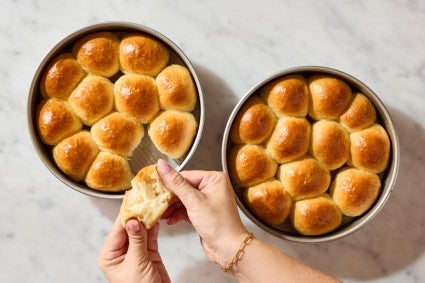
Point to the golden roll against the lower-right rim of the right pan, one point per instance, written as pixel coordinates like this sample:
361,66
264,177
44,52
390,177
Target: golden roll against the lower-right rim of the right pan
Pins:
354,191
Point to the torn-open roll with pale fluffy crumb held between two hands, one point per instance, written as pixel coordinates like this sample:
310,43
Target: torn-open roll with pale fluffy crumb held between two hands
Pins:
148,198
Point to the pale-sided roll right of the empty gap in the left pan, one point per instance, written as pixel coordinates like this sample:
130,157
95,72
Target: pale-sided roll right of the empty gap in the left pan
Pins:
172,132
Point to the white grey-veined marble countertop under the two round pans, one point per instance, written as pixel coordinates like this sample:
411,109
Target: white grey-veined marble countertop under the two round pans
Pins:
50,233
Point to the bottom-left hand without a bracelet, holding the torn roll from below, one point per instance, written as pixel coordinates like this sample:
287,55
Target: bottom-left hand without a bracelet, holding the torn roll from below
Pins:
131,254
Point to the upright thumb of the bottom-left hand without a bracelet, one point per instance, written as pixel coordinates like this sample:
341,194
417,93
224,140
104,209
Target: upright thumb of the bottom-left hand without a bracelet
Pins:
137,240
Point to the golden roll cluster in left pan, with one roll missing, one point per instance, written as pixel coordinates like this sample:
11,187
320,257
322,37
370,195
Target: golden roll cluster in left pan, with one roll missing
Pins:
100,96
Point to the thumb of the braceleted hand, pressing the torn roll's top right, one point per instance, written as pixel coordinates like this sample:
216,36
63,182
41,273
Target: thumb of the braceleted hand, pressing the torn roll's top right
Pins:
173,181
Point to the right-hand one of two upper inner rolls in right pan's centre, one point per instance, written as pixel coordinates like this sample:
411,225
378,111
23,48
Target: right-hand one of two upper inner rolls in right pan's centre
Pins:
330,144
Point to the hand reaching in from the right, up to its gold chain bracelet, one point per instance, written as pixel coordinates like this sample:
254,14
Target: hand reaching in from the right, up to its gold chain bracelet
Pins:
207,201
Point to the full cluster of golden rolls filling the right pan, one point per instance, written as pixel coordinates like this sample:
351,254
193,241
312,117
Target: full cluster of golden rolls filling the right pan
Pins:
307,150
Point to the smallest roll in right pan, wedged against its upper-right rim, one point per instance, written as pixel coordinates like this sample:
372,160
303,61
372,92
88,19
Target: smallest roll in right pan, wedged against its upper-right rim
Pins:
360,114
